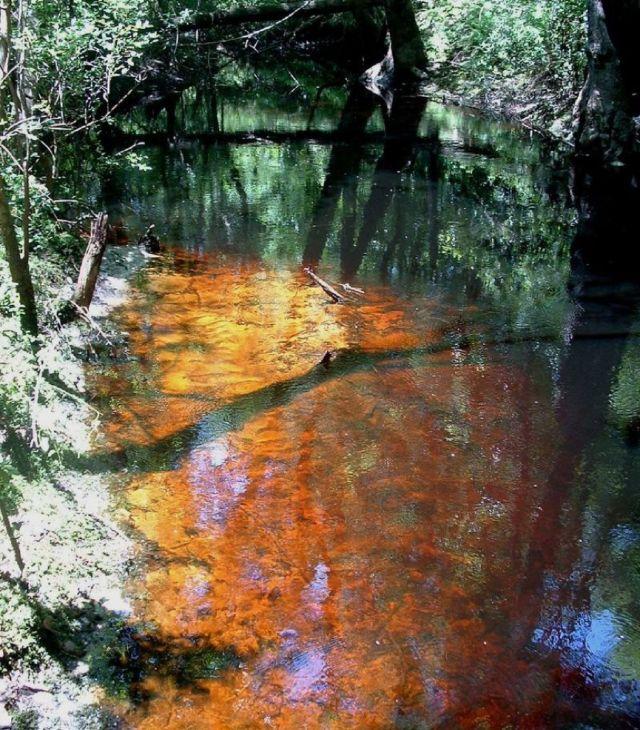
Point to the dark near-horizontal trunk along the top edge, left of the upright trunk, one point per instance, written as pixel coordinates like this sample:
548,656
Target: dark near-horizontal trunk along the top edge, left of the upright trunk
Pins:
278,11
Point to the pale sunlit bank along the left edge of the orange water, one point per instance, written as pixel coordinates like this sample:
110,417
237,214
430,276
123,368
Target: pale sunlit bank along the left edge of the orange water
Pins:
60,614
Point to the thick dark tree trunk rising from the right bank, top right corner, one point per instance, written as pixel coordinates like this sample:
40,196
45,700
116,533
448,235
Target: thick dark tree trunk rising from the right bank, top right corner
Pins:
604,126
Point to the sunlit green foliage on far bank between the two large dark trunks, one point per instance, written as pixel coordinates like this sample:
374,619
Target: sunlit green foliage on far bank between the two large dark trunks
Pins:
521,50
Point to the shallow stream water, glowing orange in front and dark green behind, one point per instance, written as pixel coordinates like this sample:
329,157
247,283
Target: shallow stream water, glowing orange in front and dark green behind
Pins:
440,528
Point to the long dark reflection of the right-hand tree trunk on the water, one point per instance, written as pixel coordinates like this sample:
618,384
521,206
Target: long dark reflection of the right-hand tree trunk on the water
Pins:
605,287
